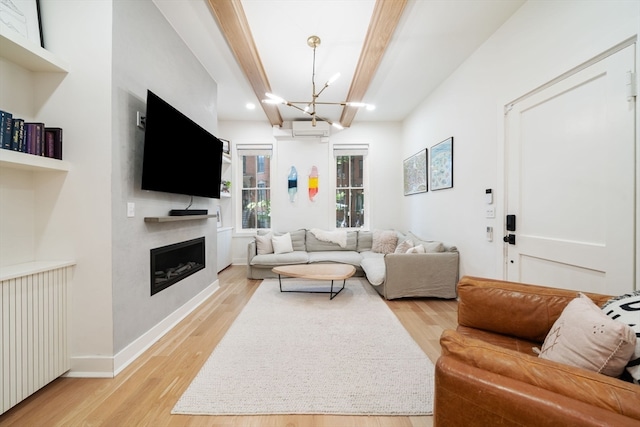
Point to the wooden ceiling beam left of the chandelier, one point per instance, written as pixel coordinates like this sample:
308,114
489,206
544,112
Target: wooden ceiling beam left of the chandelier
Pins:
235,27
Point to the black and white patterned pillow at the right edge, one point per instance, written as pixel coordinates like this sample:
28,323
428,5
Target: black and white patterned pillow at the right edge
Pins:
626,309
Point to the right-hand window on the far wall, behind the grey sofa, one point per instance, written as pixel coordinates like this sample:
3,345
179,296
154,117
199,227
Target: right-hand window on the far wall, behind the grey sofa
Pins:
351,204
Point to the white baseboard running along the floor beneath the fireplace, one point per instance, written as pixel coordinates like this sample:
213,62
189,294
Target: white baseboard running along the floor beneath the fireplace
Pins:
109,367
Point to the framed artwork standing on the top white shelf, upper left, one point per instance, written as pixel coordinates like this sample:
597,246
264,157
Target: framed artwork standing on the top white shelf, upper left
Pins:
22,17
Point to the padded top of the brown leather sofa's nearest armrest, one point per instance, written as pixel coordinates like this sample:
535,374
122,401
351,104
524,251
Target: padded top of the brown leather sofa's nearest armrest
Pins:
580,384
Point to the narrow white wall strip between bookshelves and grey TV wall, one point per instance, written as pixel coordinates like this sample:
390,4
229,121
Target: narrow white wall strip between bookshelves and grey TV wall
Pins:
80,34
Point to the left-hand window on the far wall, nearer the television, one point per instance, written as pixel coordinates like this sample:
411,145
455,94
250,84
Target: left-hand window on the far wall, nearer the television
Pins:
255,194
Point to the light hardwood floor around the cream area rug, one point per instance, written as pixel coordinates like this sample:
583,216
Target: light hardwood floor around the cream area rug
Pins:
145,392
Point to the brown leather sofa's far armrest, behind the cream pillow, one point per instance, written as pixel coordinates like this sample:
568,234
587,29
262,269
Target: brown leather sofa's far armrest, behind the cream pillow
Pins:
515,309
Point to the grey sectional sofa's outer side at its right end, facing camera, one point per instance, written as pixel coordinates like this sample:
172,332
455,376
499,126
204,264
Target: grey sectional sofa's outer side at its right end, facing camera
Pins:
421,275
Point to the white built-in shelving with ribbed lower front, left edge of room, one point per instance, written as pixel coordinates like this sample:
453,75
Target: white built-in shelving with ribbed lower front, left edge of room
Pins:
35,277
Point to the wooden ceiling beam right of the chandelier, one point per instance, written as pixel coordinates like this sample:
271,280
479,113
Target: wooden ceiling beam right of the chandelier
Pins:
384,20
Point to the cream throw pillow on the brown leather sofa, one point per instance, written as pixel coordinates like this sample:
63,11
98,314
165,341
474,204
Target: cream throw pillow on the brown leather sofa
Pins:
583,336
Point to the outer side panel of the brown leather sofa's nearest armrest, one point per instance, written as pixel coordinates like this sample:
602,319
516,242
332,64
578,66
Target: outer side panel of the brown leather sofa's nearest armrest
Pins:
470,396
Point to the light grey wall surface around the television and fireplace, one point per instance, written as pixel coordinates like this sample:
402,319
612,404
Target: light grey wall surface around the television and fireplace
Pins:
148,54
